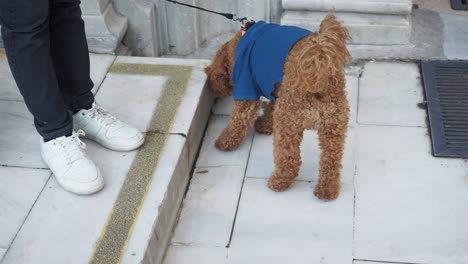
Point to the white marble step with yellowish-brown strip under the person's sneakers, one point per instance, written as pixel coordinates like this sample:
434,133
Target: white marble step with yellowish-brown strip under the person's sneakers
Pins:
64,228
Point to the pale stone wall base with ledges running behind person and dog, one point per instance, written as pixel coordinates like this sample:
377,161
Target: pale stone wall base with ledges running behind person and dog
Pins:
158,27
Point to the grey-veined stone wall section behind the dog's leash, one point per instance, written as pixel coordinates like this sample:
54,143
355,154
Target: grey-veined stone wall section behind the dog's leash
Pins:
185,29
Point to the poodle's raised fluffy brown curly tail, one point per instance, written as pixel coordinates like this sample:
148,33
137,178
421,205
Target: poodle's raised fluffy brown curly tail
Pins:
328,54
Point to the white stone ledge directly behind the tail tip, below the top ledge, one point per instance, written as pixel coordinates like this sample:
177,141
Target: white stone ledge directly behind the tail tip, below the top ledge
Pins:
364,28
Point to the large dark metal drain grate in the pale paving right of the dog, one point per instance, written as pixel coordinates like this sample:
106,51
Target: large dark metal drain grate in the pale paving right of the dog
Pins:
446,87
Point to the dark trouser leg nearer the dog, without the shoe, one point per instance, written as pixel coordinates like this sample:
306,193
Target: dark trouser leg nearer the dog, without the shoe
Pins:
69,50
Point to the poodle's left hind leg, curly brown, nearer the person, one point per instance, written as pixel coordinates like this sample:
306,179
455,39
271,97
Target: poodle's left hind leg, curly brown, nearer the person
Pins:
287,138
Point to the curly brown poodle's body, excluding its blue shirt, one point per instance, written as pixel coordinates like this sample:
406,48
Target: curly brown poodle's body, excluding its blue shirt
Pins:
311,96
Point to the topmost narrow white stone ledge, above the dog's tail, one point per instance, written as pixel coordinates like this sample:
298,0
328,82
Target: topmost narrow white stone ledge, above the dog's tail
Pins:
395,7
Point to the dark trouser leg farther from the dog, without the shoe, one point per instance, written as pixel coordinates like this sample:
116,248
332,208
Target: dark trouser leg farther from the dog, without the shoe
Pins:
25,32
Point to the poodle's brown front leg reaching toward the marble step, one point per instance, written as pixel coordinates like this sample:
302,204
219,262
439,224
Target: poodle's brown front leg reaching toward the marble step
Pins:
242,119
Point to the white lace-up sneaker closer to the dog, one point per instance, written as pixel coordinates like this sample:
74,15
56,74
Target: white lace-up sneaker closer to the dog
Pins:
102,127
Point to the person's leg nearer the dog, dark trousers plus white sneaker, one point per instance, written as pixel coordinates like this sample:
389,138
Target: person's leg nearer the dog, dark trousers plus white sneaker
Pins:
71,61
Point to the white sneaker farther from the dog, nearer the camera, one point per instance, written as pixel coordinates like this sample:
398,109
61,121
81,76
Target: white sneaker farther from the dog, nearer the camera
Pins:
67,159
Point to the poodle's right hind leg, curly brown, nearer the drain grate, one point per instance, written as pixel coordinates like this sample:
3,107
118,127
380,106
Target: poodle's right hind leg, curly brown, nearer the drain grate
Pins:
332,136
